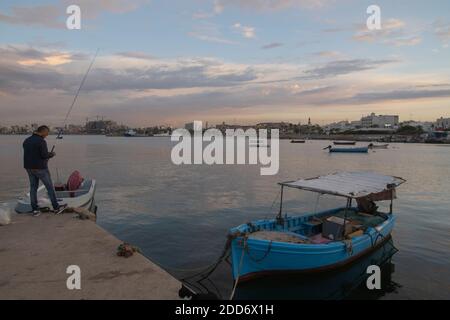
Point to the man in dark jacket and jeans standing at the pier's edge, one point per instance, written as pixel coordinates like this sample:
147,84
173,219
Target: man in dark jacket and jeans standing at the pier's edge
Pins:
35,160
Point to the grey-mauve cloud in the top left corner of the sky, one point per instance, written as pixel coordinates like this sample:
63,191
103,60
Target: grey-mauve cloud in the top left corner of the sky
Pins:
53,16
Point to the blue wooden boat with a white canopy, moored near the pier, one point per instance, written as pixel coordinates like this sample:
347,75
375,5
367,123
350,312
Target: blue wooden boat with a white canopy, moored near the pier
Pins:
317,242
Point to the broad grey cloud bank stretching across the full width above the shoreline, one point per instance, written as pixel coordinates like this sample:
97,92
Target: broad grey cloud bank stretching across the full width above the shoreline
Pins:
137,88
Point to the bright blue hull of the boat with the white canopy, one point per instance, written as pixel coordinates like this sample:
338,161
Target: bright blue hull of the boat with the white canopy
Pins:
263,257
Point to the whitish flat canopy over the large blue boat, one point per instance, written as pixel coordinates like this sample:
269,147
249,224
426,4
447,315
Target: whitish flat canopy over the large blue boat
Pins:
352,185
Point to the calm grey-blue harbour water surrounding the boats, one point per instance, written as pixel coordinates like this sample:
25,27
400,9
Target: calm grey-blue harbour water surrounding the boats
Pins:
179,215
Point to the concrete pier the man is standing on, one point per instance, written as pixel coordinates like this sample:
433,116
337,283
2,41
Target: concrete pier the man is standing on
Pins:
36,251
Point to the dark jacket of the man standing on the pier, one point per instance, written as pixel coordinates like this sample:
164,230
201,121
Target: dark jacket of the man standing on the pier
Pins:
35,153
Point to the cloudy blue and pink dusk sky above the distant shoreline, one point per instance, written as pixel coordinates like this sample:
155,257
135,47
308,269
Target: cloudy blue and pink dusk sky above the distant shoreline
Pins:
239,61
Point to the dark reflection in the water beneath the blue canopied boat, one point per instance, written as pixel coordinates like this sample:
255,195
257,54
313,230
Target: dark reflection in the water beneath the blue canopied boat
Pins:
344,283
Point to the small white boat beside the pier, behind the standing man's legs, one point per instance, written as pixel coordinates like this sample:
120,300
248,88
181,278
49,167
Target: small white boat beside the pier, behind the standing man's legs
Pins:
83,197
